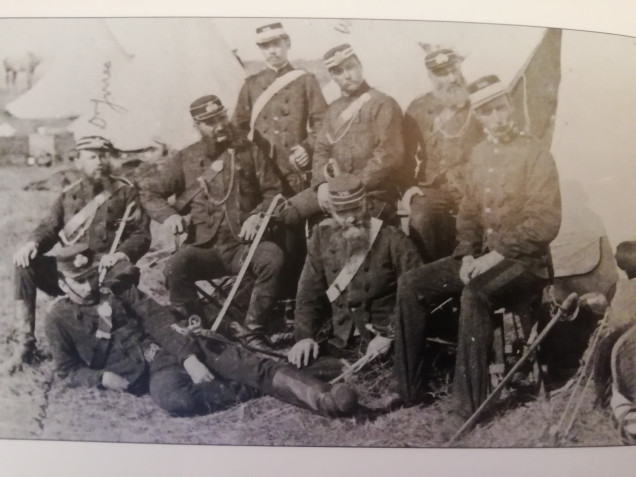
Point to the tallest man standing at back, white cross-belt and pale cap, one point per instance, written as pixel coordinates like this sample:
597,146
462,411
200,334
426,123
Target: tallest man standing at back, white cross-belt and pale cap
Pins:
281,108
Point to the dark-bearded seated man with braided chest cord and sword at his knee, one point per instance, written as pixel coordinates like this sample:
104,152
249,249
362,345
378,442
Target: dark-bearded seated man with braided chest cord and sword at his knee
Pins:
225,184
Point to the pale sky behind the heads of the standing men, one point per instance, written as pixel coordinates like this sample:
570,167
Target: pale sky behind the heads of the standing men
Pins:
390,50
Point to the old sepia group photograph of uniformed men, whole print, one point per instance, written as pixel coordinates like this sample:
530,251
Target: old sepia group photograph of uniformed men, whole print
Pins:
316,232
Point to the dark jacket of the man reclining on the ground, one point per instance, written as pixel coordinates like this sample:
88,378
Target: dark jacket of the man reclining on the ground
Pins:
70,329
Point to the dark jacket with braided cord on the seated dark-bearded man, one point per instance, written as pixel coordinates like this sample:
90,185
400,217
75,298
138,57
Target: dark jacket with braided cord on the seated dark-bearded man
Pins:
251,180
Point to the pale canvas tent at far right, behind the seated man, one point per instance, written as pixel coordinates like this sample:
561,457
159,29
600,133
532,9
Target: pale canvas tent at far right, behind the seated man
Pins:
594,143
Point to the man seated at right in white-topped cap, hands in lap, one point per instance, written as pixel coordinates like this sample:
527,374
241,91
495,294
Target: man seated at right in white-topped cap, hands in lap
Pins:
510,213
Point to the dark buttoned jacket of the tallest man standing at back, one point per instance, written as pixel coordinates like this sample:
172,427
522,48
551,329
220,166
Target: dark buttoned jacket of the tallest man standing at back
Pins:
291,117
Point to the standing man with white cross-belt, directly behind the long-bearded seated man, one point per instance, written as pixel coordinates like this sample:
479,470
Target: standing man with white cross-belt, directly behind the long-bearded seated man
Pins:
361,135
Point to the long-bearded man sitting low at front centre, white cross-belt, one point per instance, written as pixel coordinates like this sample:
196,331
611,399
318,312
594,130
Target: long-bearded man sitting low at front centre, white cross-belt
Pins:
353,261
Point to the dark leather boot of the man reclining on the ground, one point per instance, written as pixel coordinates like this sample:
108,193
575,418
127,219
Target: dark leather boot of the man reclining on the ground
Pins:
296,388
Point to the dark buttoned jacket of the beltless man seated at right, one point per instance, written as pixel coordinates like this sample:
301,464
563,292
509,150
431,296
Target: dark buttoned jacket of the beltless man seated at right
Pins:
512,202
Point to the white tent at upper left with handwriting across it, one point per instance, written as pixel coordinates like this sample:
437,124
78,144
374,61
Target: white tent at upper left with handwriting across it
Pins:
133,79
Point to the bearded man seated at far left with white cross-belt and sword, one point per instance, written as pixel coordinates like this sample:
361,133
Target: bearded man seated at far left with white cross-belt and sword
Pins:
89,211
